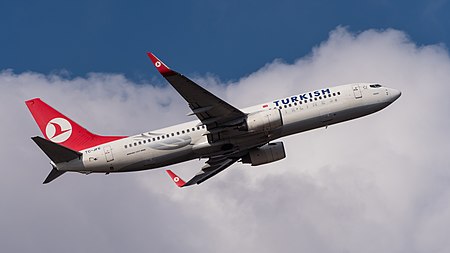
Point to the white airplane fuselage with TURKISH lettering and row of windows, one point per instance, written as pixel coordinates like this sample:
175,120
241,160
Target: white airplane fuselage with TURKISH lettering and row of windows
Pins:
187,141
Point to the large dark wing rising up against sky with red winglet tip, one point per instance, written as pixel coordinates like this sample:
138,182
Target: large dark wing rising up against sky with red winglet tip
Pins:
211,110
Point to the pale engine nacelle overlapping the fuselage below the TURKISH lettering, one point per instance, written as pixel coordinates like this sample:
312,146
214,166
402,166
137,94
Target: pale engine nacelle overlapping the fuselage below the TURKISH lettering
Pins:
266,120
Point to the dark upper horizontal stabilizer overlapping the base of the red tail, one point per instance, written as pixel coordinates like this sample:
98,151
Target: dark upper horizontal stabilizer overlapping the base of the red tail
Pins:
56,152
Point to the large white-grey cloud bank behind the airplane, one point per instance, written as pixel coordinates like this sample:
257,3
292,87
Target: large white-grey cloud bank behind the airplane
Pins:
376,184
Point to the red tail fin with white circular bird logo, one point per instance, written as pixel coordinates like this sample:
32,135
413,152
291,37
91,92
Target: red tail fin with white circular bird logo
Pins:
60,129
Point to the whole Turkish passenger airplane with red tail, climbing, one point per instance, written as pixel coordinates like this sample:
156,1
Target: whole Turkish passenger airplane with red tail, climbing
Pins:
222,134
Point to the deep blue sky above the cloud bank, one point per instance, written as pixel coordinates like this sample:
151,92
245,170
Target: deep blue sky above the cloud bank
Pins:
229,39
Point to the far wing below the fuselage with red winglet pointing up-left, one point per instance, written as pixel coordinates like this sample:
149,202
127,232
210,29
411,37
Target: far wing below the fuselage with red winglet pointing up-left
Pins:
213,166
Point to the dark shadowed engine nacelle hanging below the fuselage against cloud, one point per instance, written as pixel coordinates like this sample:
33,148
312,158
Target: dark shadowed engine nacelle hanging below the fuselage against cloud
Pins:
268,153
